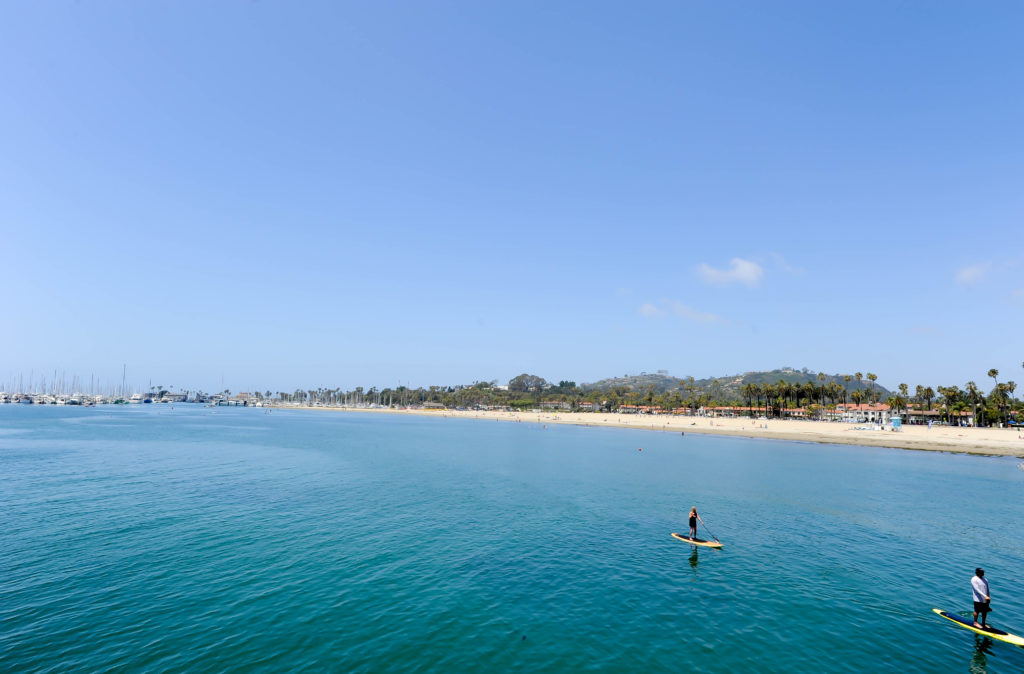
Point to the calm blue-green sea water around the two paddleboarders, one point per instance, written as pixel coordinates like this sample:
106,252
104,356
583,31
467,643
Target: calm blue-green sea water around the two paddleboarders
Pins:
150,539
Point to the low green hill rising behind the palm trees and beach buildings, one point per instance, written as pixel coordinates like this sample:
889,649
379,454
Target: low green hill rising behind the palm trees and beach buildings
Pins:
729,387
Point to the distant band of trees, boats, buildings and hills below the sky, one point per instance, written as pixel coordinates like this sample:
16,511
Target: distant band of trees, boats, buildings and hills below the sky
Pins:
786,394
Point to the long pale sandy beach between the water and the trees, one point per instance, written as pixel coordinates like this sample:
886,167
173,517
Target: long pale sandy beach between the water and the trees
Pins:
983,442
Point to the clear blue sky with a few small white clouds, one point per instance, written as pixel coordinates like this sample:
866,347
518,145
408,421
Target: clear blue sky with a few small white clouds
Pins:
270,195
